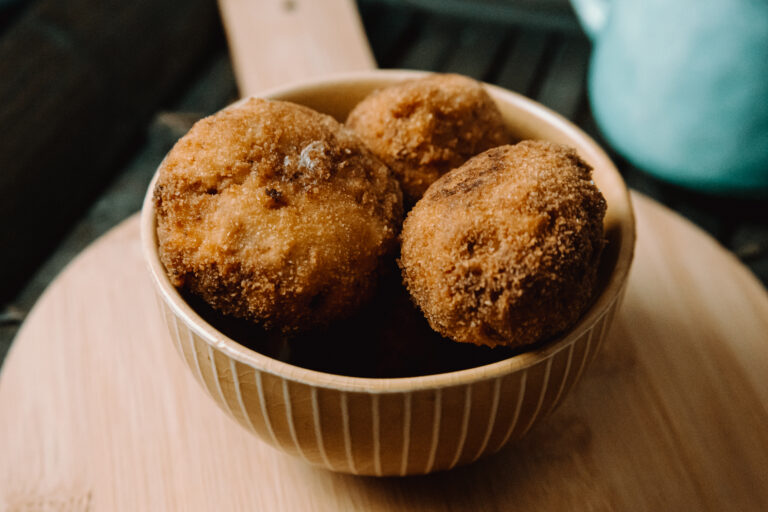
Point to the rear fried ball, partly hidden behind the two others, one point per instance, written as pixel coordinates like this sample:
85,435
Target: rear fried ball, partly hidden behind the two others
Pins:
424,128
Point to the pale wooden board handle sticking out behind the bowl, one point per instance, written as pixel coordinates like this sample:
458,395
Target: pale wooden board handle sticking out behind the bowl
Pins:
275,42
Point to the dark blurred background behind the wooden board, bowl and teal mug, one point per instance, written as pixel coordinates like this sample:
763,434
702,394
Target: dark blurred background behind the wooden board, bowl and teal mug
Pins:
93,94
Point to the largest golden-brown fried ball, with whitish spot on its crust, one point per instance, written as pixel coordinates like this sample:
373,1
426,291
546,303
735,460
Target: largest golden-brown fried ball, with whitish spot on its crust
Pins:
276,213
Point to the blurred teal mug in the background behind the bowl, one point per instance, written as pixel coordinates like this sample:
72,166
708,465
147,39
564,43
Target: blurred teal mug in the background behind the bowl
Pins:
680,88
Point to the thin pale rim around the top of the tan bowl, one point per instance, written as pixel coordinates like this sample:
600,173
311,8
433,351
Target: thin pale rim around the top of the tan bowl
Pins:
610,293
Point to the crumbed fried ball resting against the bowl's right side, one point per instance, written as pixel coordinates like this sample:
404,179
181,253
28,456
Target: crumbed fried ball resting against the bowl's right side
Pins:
504,250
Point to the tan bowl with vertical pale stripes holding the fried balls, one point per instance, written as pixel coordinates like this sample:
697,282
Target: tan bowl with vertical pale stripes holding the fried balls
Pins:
414,425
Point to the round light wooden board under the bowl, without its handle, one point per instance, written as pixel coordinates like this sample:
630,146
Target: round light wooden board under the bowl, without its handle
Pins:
98,413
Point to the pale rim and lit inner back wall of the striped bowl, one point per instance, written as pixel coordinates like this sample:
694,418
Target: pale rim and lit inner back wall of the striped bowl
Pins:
526,119
